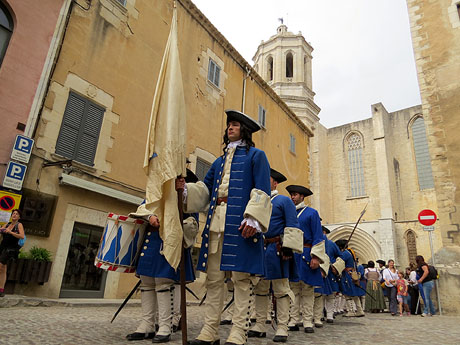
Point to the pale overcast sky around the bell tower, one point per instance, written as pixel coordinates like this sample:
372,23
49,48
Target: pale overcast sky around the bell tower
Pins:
362,48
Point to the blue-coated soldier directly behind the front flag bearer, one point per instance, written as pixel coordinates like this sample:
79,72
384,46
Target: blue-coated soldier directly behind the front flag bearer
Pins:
279,264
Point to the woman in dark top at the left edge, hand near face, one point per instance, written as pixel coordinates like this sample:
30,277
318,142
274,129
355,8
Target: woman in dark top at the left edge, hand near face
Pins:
12,233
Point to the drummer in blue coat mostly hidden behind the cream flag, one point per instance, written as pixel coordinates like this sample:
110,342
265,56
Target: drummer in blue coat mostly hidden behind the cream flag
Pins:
159,279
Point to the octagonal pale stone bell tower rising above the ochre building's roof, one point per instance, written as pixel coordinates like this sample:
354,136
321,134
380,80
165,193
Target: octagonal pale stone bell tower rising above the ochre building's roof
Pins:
285,63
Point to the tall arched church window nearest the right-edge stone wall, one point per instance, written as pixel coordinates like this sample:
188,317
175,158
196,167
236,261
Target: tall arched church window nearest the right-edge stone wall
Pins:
422,155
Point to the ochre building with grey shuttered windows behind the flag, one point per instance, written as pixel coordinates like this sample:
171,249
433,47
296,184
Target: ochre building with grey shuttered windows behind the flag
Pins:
90,135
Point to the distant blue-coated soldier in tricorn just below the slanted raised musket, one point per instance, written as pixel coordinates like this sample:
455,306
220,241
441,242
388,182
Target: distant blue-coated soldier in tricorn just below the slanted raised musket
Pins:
347,285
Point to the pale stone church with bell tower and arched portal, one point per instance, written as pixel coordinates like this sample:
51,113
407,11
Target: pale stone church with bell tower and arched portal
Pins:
381,162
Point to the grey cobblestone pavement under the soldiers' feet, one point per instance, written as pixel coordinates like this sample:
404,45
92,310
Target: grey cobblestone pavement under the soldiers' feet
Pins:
91,325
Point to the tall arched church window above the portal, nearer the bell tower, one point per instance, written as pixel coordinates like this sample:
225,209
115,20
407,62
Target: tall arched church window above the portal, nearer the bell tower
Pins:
355,165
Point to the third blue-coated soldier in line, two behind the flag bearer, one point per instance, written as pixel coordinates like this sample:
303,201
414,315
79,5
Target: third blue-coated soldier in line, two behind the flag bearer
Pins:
308,262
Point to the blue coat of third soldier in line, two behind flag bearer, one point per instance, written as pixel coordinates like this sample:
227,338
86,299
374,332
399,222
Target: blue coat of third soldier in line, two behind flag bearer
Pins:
310,224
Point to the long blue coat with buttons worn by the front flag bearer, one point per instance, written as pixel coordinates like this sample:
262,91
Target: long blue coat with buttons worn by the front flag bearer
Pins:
249,170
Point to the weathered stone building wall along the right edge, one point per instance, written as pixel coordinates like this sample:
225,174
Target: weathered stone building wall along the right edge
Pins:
435,27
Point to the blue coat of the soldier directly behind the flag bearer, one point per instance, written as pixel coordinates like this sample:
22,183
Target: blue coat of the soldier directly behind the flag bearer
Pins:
283,215
